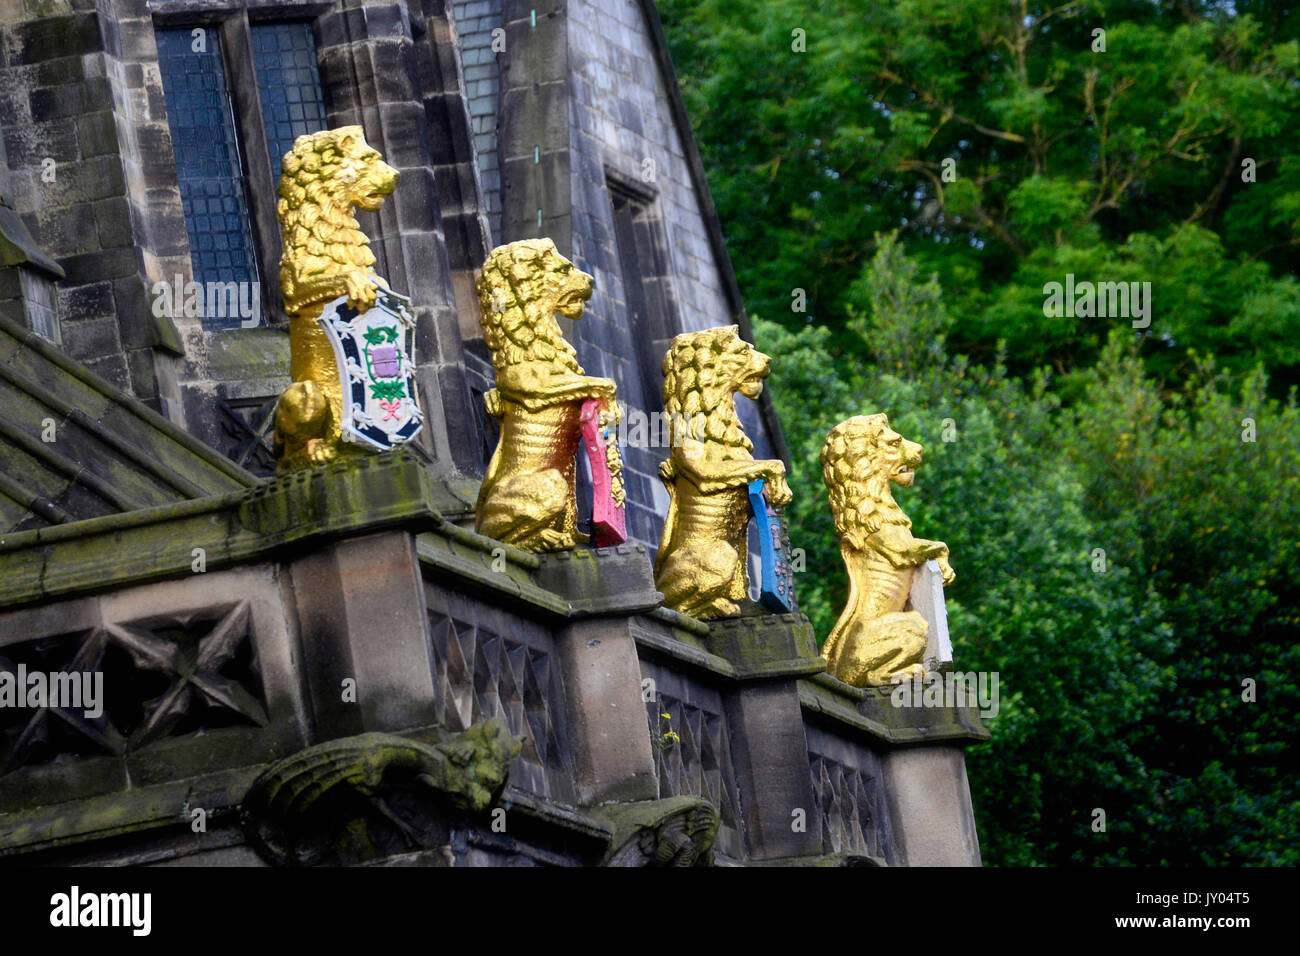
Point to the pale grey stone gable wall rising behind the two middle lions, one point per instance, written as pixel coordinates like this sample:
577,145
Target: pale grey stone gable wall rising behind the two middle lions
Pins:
621,122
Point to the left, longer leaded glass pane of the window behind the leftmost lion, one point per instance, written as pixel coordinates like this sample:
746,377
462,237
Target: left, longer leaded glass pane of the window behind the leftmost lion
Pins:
207,165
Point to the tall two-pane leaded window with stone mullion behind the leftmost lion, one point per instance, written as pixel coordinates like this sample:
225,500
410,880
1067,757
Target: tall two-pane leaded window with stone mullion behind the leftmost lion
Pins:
239,94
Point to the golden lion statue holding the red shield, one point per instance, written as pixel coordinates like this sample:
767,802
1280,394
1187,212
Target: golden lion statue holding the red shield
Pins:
527,498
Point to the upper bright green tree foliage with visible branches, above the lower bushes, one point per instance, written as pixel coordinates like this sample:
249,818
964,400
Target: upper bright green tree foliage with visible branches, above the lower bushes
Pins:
1125,165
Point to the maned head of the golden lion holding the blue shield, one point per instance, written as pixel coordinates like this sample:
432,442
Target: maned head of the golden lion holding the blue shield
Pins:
701,374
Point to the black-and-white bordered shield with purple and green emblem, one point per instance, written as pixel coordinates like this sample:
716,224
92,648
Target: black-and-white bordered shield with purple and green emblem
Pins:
375,370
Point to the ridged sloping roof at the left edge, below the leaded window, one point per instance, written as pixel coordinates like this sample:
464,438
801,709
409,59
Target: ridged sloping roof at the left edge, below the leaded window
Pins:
73,447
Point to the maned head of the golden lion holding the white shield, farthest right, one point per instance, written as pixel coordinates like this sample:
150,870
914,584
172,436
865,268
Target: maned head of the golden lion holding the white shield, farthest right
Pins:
860,458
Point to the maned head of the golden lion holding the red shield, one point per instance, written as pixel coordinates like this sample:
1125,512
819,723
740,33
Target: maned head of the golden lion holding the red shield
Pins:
521,289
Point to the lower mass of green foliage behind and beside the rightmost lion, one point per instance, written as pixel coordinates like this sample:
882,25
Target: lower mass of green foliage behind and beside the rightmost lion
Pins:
1123,686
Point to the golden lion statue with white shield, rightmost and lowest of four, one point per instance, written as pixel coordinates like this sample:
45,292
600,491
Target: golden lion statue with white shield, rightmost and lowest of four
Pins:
876,641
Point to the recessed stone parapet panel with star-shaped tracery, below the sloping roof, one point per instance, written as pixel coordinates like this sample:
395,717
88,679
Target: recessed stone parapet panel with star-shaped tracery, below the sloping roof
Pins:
175,681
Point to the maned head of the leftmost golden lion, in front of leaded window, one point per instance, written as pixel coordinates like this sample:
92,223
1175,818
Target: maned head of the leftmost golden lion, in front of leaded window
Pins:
323,178
